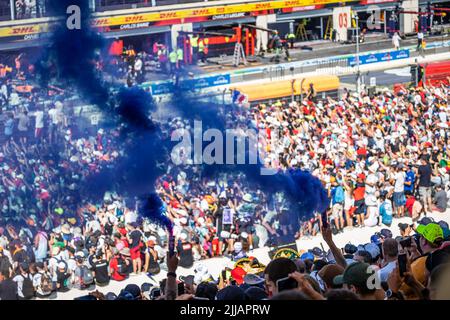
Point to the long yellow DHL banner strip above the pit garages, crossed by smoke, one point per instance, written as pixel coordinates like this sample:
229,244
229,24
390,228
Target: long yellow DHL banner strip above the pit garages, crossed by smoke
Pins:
25,30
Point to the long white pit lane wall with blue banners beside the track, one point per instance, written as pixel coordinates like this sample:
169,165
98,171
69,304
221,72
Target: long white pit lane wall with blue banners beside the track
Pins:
219,83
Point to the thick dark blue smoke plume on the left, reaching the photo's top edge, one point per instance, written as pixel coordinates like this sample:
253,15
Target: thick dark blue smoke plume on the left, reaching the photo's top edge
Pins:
71,58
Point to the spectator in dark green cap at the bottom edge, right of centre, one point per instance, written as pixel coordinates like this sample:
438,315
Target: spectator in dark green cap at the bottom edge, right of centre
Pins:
357,278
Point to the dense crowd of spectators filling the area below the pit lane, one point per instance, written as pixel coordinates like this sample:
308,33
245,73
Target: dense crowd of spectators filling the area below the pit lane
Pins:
380,157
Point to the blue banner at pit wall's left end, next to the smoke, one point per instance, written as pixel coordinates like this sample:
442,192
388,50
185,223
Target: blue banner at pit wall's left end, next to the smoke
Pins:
167,87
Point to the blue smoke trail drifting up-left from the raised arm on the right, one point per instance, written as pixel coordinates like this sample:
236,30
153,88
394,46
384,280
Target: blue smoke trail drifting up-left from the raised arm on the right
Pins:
305,192
